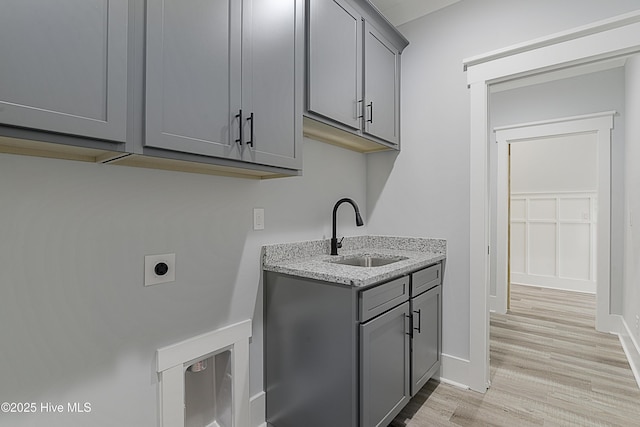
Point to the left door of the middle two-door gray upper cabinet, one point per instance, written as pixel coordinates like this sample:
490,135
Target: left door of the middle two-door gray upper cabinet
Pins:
193,74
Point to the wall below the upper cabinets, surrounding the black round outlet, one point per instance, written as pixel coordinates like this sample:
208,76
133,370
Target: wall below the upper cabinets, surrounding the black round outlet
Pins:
77,324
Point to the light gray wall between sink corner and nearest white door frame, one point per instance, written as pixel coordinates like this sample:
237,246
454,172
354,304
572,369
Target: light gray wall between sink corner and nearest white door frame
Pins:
424,190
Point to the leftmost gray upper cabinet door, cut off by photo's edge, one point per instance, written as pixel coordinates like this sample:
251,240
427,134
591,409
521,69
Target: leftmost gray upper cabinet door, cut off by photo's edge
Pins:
63,66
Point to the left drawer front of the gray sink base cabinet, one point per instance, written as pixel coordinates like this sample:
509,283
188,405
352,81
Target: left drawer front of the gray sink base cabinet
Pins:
384,297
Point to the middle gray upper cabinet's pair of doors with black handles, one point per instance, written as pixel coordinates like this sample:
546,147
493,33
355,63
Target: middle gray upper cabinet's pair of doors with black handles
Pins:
224,78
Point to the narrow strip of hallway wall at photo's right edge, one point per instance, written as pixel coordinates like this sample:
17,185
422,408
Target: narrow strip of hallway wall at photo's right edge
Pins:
631,288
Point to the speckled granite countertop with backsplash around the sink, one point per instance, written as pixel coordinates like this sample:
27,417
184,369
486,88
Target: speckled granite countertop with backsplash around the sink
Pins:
310,259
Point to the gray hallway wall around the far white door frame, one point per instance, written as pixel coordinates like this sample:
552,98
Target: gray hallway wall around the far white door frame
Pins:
590,93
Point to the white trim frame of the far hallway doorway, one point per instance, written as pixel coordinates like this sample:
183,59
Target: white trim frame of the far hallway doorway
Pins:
599,124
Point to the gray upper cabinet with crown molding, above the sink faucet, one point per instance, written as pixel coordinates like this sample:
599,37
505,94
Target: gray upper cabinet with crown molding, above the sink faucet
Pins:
353,75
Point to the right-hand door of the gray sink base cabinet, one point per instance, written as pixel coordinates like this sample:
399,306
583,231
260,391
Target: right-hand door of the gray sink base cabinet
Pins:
426,344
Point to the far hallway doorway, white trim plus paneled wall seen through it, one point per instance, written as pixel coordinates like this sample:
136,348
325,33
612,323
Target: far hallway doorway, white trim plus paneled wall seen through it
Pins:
552,227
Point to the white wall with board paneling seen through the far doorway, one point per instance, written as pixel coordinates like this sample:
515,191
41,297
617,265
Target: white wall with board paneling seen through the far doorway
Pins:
553,203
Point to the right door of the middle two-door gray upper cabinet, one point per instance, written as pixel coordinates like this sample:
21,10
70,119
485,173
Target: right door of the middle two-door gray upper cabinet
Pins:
272,84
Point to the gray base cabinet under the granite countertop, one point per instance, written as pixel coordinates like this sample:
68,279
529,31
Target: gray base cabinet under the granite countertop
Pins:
343,356
